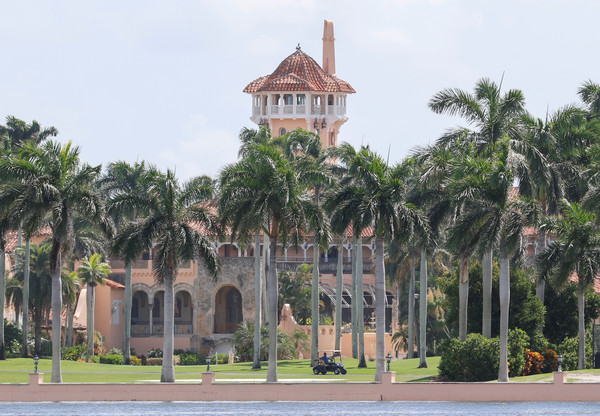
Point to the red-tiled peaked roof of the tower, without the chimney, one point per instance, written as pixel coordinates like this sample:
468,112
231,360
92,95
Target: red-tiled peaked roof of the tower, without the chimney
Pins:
299,72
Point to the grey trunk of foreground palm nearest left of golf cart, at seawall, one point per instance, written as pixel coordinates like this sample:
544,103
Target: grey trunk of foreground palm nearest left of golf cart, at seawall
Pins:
272,290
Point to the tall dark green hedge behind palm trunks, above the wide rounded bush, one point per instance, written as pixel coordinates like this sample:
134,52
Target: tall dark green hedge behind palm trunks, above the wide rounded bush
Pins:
526,310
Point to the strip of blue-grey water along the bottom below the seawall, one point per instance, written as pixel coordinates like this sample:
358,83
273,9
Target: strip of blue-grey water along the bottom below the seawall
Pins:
298,408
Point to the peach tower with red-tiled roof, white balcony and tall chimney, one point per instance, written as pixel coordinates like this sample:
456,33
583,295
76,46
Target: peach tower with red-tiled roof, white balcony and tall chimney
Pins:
301,94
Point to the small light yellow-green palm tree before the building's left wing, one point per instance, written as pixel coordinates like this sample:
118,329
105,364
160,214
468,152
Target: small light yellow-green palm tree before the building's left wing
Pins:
93,271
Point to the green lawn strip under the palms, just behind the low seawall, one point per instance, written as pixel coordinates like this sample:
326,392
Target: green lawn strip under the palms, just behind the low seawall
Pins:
16,370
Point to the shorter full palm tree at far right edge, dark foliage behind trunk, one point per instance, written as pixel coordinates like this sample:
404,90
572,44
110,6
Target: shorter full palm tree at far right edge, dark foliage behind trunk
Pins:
576,251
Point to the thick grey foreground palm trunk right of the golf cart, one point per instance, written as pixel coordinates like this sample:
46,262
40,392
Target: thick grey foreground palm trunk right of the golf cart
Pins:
379,309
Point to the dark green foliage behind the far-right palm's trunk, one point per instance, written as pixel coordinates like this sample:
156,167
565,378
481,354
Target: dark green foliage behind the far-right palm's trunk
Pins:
562,318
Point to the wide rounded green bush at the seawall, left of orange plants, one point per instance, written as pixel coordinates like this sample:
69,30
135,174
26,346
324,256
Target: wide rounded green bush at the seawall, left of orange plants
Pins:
475,359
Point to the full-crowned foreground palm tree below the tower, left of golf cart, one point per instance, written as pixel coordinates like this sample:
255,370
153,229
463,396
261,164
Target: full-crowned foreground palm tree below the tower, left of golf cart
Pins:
263,189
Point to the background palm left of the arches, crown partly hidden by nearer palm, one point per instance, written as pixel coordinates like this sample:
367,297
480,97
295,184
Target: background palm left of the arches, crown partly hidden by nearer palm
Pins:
118,184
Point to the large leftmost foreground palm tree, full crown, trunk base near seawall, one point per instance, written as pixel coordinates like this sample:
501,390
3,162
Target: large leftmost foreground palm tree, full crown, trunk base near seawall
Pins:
50,180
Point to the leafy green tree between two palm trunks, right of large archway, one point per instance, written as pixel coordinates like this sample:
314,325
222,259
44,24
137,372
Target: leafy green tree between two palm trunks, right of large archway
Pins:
295,289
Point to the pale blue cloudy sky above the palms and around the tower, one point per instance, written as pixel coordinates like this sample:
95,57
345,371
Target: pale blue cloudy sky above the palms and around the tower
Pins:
162,81
